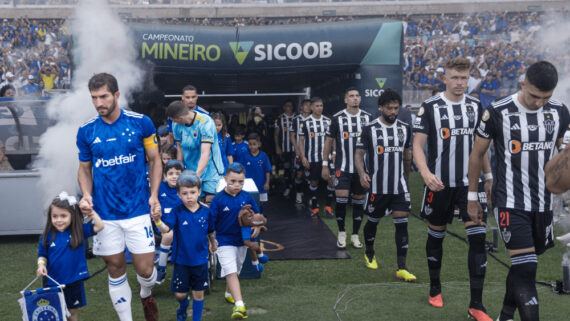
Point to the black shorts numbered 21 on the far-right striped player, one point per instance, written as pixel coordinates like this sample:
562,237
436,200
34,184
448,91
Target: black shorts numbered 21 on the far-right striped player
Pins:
521,229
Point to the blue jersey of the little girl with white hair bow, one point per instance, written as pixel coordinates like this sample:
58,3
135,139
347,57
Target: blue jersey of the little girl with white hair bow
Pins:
64,264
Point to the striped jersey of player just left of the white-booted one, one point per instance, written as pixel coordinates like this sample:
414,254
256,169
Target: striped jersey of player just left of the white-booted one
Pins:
314,130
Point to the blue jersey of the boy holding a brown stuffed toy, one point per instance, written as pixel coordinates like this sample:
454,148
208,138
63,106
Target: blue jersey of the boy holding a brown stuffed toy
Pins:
225,210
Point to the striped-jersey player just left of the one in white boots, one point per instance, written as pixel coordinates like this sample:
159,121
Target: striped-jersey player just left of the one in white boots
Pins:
312,136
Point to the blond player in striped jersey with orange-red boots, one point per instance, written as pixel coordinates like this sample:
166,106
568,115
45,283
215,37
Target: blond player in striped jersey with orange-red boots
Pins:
447,122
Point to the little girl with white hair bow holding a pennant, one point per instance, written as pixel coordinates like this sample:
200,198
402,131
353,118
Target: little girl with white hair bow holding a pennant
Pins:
61,251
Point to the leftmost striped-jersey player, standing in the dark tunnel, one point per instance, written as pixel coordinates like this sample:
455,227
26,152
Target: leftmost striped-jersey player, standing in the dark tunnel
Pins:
283,146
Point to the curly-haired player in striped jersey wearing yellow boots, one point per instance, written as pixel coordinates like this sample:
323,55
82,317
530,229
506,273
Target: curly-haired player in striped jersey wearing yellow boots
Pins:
385,141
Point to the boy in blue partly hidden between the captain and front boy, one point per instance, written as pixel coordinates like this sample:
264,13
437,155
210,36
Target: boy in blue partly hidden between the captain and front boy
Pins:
168,197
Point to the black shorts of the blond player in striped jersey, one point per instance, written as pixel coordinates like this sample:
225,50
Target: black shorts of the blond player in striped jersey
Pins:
438,207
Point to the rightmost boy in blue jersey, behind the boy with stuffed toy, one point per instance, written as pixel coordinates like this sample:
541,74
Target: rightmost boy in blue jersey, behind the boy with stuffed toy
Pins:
257,167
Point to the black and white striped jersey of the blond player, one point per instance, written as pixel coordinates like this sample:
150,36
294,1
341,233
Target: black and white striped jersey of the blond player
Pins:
450,129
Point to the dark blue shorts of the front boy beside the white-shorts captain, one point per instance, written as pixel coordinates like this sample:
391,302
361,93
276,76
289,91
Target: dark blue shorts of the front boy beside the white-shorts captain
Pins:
186,278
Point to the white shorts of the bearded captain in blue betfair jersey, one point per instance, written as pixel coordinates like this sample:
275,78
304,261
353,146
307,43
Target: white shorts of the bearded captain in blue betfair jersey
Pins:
134,233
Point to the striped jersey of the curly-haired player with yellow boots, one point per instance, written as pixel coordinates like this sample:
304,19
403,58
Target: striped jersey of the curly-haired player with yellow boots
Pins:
385,146
